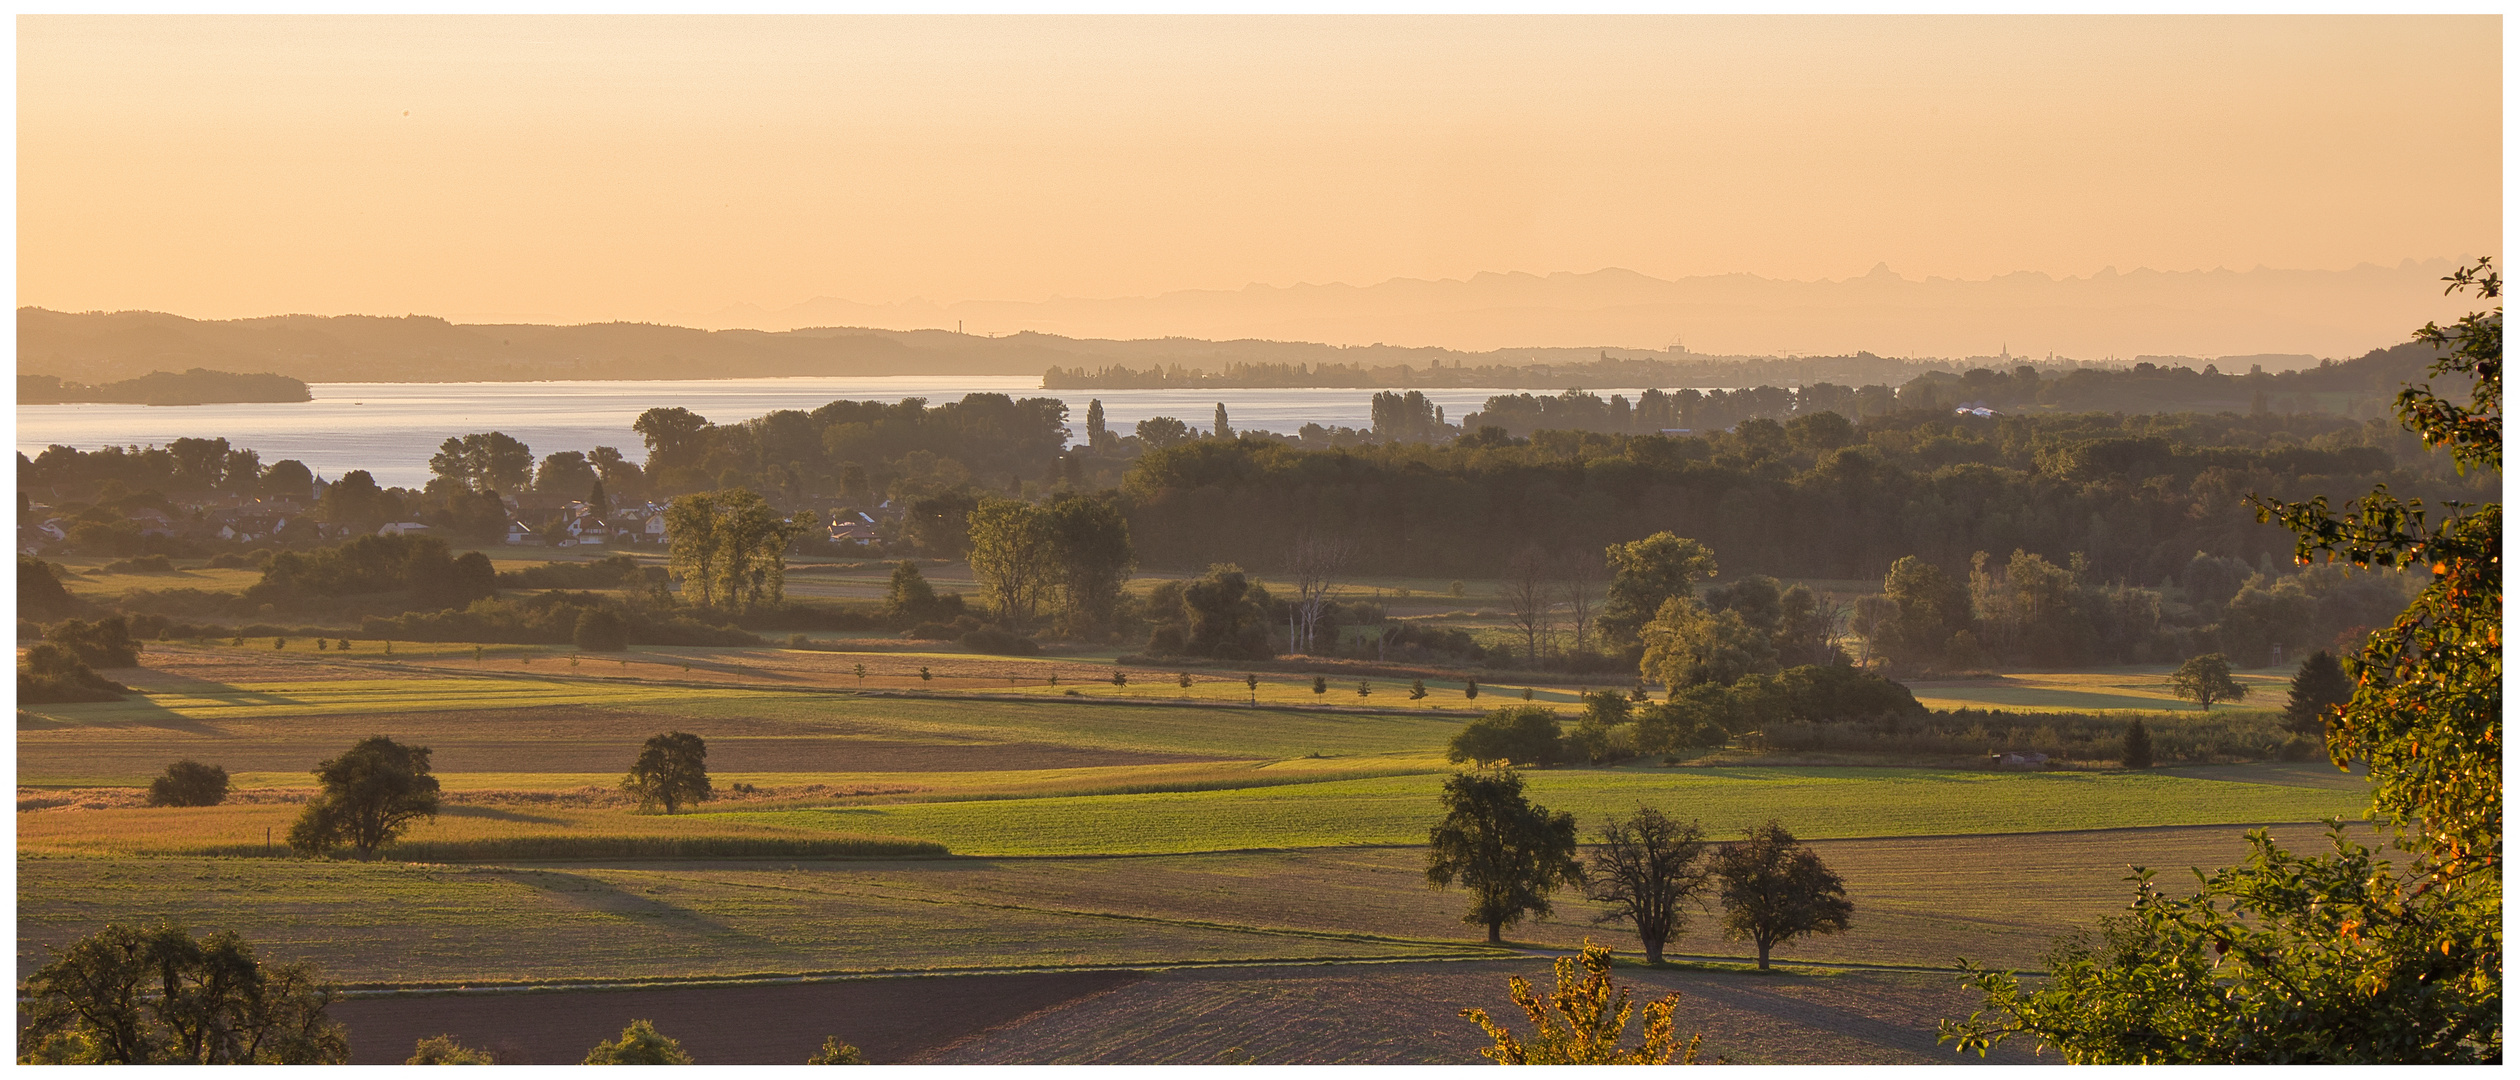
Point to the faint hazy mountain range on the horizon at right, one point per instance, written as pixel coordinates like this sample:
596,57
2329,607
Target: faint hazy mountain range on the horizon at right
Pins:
2330,313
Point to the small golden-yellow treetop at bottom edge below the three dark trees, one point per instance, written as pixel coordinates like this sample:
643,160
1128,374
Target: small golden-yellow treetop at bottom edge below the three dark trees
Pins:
1584,1021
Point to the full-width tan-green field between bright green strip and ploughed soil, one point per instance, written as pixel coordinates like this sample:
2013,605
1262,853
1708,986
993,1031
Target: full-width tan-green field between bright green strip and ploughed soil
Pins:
1916,903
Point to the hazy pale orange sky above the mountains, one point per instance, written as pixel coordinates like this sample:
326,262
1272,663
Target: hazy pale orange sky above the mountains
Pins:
656,167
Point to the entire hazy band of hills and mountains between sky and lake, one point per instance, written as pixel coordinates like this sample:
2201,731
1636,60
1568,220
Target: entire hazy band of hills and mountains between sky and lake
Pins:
2282,318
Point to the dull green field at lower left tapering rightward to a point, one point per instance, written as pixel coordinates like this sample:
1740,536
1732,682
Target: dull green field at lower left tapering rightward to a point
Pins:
455,925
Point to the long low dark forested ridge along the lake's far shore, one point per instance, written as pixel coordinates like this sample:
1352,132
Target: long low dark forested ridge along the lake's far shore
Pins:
420,349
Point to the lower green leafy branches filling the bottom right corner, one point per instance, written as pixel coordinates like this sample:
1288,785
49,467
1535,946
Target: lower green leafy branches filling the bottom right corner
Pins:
2284,960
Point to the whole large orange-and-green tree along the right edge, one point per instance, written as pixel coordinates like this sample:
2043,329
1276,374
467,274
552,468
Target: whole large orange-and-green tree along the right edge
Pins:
2340,958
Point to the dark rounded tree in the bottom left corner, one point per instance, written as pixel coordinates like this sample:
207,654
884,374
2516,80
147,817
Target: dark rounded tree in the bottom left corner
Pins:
157,996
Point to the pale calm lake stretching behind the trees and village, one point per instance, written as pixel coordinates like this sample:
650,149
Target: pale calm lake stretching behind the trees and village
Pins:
392,429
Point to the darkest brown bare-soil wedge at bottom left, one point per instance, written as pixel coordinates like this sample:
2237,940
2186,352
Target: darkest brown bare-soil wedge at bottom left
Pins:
893,1021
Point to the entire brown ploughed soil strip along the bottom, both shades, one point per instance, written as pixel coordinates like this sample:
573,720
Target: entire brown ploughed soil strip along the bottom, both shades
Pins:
1203,1016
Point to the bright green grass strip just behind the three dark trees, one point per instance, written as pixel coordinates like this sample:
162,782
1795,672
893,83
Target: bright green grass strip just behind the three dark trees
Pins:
1816,802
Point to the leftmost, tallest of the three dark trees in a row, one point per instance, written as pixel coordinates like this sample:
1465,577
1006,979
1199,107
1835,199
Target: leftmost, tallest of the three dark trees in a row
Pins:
1508,852
